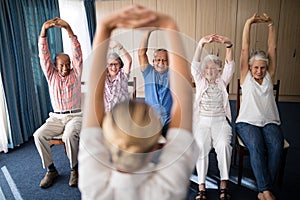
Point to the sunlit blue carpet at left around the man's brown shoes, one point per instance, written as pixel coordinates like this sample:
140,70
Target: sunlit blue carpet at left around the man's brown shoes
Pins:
23,165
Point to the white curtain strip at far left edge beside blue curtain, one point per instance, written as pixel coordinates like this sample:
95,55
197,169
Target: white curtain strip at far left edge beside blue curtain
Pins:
4,120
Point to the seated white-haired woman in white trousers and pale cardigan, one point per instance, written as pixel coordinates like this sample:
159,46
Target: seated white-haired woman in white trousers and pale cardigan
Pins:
211,108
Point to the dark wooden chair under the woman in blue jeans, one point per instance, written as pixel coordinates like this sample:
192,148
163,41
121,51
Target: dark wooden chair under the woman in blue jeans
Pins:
242,151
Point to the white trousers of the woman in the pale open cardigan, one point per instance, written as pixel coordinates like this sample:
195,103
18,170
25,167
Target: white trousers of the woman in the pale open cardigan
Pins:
213,132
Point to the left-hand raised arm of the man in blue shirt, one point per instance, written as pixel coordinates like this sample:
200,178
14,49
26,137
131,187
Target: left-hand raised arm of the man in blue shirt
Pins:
142,53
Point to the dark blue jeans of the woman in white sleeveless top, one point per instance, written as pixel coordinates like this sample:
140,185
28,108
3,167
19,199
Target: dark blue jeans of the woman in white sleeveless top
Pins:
265,145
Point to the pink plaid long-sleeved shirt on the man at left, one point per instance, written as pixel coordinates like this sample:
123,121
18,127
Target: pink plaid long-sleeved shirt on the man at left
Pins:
65,92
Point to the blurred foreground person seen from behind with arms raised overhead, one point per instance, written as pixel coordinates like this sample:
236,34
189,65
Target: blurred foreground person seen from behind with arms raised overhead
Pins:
132,129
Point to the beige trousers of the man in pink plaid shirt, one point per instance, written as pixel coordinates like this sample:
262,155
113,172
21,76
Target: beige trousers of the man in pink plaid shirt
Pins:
56,124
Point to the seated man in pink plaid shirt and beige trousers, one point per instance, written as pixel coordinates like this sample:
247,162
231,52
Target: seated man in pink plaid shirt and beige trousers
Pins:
64,84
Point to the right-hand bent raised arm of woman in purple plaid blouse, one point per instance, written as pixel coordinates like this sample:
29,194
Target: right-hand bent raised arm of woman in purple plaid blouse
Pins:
123,53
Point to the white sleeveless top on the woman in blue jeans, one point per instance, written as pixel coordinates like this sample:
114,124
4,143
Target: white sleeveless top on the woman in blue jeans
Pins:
258,106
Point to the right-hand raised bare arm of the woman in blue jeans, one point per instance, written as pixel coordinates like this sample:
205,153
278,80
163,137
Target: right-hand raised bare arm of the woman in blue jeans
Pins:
272,51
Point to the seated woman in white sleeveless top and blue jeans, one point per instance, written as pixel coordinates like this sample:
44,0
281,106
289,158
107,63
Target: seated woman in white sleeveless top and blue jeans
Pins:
258,123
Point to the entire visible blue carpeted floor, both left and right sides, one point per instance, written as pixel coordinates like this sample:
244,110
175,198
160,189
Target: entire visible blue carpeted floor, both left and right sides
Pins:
21,170
